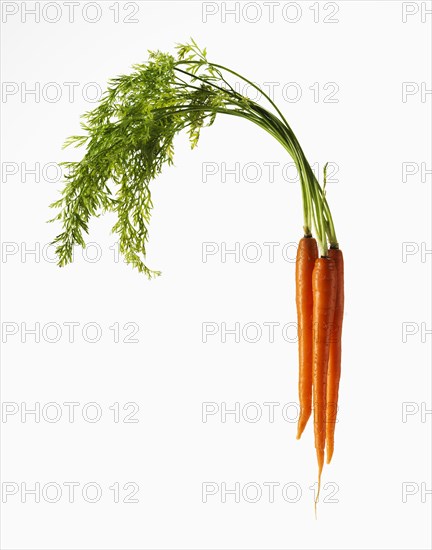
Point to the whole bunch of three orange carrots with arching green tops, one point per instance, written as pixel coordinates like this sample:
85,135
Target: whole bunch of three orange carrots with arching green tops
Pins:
129,137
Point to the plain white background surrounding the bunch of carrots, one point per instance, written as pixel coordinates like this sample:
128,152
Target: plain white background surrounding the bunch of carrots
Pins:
369,133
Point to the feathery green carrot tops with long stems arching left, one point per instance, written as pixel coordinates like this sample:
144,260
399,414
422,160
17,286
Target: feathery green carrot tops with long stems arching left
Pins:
129,137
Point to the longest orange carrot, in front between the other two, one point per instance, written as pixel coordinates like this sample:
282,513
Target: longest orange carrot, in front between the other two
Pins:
324,281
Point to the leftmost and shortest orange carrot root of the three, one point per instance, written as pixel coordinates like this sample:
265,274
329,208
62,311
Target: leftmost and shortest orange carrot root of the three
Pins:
307,253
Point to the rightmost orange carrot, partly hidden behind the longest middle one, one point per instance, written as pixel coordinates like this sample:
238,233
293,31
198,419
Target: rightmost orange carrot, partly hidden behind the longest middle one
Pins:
334,365
